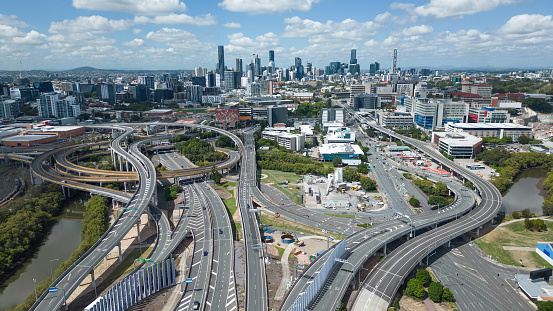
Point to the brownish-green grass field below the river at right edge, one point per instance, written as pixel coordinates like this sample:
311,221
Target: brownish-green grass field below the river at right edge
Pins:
515,234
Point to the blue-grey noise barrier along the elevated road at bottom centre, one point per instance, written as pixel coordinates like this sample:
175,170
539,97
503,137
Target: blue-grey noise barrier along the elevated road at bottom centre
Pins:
311,291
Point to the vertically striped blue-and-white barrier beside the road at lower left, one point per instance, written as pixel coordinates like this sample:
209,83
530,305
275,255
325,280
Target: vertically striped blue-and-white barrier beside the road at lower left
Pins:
136,287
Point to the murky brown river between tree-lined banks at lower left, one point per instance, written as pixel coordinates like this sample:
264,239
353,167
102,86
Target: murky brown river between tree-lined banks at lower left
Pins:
64,238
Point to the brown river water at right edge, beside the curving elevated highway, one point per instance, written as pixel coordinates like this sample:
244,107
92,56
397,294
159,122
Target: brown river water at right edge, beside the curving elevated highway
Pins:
526,192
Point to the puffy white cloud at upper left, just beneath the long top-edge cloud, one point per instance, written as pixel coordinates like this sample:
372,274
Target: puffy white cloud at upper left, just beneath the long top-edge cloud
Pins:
93,24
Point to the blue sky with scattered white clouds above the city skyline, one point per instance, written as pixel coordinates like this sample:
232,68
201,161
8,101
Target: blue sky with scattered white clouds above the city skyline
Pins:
183,34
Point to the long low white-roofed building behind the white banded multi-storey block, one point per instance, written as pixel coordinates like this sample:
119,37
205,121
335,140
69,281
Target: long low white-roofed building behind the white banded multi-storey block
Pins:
498,130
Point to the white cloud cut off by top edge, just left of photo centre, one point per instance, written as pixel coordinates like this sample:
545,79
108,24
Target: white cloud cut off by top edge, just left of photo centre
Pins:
266,6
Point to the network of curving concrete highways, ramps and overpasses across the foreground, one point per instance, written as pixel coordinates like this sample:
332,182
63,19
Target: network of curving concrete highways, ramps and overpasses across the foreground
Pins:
206,219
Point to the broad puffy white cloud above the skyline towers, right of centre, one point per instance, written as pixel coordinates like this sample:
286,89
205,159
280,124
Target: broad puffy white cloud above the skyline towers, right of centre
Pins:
346,30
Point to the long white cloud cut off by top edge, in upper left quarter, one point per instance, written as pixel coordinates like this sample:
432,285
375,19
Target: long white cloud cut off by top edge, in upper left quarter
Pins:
138,7
